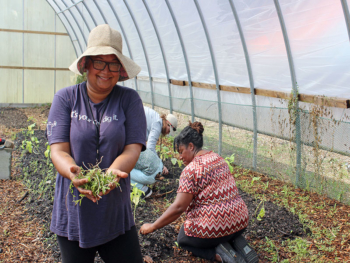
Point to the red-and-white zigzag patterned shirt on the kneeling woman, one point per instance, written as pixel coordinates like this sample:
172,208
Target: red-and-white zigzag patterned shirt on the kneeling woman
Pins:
216,210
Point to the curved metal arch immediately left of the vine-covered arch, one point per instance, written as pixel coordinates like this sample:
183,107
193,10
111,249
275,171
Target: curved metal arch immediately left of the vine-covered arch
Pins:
251,81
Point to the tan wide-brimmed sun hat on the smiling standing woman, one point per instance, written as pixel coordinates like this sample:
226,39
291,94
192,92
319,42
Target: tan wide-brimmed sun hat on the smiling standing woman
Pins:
104,40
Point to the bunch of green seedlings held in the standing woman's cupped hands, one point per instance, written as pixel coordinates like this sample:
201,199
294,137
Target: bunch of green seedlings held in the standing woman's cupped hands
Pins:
98,181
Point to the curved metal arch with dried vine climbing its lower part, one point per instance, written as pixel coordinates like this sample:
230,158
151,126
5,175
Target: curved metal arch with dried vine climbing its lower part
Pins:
295,91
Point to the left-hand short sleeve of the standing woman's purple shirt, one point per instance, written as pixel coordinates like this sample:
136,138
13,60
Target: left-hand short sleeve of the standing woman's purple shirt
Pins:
59,119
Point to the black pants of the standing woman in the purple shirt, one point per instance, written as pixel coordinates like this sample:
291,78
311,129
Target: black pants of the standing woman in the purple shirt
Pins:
124,248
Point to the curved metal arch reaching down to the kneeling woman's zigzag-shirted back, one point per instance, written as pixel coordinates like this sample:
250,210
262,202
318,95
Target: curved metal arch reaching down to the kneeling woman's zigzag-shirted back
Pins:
215,72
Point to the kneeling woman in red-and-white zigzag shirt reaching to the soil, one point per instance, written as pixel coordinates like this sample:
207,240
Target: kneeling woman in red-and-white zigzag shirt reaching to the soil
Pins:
216,215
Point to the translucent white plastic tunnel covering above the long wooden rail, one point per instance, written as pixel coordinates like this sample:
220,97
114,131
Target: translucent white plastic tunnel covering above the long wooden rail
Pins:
316,29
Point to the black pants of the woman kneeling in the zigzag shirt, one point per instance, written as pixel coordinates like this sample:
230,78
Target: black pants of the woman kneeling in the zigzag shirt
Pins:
203,247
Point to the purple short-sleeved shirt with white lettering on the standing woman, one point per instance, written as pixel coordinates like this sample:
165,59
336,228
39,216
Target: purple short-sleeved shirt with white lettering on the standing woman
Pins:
122,123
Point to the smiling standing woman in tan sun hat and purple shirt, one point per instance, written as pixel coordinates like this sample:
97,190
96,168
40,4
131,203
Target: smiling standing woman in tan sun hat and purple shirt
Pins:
97,121
